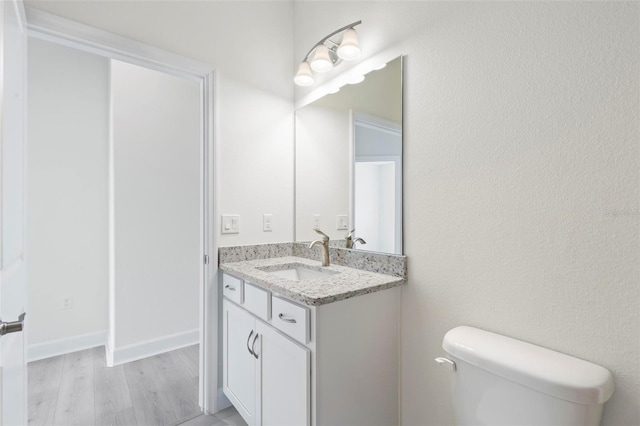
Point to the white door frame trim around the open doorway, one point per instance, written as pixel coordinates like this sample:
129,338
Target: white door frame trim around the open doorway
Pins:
52,28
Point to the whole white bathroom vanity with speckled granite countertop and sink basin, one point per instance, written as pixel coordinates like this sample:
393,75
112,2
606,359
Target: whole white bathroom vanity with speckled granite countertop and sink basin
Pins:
305,345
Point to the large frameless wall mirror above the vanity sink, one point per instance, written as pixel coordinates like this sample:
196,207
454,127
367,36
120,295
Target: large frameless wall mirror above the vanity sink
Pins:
349,164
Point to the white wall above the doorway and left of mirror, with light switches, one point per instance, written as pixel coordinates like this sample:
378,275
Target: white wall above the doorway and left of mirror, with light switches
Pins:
249,44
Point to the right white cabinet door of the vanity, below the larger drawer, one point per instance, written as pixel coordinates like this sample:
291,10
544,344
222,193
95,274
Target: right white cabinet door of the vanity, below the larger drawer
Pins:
285,379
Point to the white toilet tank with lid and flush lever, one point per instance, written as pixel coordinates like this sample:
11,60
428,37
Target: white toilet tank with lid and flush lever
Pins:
498,380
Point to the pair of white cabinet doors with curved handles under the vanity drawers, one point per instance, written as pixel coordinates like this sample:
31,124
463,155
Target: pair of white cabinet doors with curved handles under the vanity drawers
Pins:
266,375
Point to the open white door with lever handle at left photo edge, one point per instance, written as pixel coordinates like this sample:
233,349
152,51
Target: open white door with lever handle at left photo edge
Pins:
13,279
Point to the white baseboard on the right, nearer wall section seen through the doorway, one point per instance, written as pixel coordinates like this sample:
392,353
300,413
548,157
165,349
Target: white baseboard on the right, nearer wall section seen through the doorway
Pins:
151,347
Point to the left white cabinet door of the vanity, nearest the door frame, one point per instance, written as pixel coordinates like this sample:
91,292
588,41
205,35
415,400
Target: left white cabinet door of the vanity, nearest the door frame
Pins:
240,372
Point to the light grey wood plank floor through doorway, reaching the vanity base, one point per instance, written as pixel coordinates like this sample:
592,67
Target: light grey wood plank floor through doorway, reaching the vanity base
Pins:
79,389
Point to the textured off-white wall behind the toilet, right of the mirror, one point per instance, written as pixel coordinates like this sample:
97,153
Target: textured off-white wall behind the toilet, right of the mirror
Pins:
521,179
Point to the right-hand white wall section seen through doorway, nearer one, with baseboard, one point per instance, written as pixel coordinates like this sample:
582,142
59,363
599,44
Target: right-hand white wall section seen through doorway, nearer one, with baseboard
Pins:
155,275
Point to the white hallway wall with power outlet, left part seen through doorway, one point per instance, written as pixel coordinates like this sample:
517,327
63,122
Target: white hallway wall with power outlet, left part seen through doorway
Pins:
68,133
